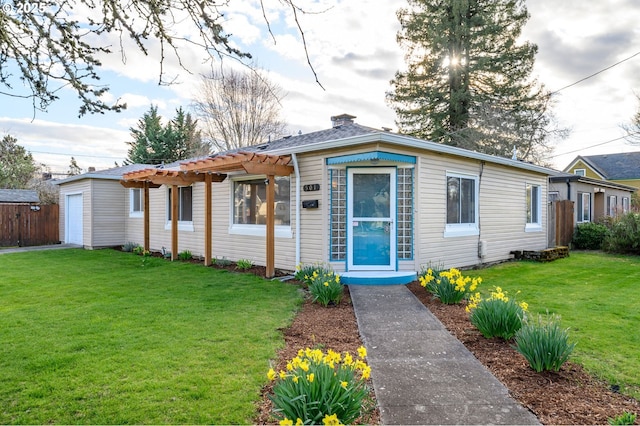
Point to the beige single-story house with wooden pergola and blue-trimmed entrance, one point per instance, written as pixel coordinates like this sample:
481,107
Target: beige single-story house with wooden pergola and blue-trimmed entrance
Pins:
363,200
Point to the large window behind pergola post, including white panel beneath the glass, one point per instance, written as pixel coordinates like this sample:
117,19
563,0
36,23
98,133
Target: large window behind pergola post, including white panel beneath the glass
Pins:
249,206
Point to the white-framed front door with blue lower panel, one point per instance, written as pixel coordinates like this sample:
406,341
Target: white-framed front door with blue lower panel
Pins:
371,214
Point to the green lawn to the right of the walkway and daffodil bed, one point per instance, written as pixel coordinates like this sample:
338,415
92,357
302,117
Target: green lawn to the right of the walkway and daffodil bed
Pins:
597,296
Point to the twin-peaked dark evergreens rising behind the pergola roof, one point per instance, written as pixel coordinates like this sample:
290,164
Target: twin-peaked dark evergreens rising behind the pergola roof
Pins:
154,143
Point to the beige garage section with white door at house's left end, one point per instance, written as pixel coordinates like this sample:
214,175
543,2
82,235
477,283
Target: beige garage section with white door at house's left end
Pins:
94,208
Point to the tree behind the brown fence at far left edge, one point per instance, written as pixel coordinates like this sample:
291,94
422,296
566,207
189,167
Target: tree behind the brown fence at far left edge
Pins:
17,167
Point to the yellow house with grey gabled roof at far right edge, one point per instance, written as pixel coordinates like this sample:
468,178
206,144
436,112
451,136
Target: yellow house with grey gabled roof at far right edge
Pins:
623,168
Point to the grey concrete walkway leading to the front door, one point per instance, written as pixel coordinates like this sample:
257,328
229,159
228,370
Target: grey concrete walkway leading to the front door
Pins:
420,372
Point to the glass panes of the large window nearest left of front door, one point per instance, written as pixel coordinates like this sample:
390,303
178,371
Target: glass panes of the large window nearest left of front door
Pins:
250,201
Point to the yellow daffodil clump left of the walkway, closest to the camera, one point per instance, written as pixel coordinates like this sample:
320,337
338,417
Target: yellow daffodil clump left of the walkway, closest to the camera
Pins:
319,387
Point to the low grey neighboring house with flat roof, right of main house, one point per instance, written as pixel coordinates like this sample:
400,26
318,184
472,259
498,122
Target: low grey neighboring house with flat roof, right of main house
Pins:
594,198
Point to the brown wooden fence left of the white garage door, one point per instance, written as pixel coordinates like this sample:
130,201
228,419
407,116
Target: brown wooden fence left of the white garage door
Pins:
22,225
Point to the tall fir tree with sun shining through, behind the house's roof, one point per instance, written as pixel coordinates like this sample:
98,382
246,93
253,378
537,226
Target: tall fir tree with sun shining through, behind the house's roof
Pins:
468,79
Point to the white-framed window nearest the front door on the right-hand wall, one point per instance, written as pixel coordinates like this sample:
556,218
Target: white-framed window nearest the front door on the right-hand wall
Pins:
462,205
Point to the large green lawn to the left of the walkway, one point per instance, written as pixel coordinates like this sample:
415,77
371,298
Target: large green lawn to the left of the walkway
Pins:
95,337
